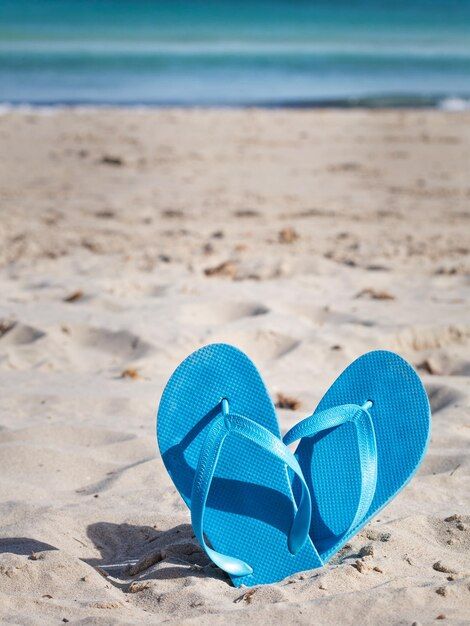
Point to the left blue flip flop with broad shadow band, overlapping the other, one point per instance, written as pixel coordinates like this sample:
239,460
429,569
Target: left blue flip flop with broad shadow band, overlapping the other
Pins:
219,438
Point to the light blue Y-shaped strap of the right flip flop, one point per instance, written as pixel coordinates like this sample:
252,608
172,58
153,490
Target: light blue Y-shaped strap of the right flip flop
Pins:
366,441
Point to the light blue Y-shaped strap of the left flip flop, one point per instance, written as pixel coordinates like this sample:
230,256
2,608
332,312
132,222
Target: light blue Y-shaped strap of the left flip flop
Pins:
227,424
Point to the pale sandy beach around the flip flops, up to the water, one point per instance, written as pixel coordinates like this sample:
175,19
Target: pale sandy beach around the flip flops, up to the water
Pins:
128,239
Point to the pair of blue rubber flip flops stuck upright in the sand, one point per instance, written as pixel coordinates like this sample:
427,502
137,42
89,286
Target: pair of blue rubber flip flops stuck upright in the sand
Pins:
266,512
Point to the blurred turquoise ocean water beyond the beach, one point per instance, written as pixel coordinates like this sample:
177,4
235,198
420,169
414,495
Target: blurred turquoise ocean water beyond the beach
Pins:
227,52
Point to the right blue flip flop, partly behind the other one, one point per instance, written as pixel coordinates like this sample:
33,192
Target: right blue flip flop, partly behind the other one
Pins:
361,446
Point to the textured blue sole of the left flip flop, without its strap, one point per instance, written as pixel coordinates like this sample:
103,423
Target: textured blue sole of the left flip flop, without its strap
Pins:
250,507
